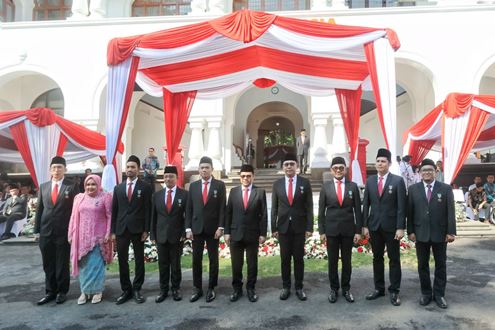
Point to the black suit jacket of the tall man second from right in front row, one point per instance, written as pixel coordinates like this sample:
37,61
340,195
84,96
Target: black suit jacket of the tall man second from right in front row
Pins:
387,211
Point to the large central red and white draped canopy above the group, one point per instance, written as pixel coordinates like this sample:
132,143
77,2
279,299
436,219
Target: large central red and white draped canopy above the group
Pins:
217,58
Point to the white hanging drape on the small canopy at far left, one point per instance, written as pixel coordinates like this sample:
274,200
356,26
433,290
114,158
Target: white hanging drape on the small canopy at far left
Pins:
43,143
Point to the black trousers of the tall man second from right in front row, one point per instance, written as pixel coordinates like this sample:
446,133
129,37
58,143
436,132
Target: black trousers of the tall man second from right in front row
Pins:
379,240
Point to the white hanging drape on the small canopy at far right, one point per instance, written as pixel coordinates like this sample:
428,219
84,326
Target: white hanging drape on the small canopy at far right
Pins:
453,136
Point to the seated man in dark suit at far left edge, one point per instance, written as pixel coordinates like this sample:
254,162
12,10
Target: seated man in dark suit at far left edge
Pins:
14,209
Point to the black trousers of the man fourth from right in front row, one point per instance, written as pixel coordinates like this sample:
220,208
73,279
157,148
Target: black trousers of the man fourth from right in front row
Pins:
292,247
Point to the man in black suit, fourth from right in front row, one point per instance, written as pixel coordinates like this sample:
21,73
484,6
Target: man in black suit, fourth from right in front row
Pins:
292,223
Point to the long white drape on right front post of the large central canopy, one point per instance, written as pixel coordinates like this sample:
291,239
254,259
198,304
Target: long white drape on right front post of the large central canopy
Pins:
385,67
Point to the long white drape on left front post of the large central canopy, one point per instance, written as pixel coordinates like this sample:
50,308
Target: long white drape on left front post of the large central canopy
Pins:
117,84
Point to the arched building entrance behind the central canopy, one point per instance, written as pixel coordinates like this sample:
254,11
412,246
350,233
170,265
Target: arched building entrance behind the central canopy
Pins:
273,126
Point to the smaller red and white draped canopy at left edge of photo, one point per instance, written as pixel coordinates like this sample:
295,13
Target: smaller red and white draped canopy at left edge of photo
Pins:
35,136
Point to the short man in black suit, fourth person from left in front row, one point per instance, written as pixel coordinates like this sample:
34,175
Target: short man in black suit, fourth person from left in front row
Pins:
168,232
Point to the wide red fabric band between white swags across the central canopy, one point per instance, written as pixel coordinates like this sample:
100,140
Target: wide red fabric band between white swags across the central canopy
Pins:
255,56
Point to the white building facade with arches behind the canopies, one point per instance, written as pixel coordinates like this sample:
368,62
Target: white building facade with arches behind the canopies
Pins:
446,46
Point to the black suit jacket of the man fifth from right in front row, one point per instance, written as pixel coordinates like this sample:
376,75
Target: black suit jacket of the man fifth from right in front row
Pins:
246,224
